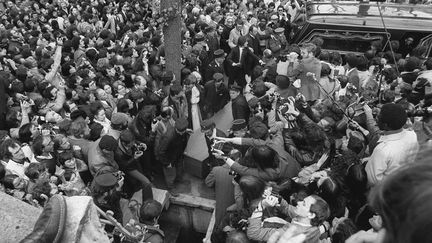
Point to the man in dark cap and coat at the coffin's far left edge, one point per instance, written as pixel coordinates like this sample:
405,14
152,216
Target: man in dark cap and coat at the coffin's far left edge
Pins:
216,95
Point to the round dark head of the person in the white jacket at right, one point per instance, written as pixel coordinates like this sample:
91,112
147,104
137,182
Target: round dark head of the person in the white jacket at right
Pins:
393,115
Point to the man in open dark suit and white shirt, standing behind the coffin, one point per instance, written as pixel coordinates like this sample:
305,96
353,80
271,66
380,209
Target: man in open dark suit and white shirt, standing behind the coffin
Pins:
242,61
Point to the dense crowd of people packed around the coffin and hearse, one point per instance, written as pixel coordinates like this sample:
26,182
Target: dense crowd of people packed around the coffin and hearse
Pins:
88,107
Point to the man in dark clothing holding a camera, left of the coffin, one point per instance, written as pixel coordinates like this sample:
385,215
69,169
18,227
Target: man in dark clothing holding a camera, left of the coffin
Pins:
127,156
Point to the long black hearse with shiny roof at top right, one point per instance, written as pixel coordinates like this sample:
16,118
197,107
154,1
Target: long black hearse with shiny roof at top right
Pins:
349,26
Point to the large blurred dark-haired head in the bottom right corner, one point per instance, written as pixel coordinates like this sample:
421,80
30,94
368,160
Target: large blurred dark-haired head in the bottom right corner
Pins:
403,201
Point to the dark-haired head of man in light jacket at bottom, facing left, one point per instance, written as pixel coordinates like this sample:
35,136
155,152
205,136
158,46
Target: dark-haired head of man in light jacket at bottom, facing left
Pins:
313,209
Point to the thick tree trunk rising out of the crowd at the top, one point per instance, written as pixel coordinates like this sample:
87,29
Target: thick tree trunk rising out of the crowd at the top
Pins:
172,38
